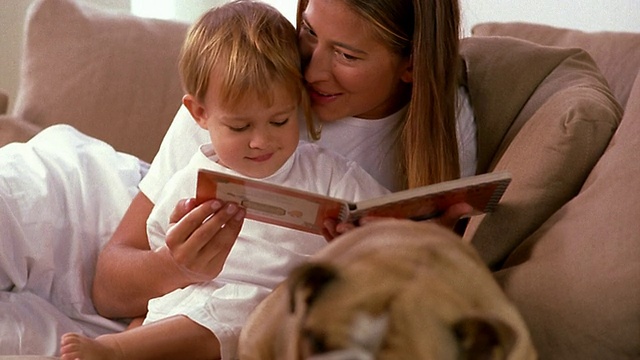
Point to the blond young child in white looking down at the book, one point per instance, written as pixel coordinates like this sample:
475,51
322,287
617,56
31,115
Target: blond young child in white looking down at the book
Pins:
240,67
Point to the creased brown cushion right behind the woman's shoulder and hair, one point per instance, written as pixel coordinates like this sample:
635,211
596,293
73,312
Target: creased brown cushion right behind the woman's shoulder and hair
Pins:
556,133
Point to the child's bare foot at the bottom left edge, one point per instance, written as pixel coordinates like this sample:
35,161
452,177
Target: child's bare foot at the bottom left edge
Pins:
78,347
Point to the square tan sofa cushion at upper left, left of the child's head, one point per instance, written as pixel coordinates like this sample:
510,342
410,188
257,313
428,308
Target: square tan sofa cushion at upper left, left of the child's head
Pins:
111,75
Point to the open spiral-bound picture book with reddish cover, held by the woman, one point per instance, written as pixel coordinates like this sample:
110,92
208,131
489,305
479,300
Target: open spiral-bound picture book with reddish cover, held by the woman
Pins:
307,211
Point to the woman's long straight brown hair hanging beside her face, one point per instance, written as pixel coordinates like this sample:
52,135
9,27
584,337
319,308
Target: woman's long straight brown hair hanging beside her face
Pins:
429,32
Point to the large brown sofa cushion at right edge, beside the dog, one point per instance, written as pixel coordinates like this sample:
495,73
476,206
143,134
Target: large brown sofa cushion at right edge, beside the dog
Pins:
577,279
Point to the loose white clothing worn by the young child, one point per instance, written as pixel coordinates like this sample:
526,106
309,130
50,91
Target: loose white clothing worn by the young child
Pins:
263,254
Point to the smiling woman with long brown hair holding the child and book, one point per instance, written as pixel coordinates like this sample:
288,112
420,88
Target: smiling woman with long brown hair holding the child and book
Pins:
382,77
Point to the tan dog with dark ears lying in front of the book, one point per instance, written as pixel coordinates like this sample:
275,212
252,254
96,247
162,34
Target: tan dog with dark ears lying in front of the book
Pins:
394,289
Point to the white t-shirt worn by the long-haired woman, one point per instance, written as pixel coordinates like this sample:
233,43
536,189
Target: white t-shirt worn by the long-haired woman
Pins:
371,143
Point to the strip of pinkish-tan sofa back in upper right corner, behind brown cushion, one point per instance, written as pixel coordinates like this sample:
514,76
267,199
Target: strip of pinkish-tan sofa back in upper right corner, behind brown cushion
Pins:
616,53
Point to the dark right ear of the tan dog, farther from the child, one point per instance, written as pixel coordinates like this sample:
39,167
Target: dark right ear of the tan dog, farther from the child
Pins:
484,338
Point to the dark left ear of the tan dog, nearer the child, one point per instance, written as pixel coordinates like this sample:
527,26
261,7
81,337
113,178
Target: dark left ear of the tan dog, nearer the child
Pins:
307,281
